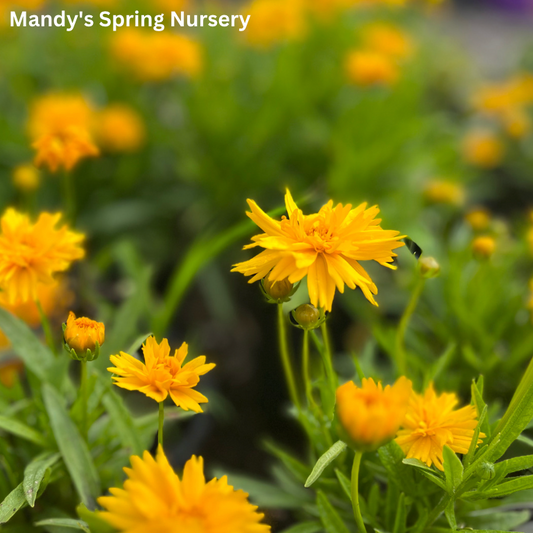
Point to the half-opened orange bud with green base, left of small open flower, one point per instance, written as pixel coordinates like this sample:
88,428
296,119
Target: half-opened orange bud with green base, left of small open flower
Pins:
83,337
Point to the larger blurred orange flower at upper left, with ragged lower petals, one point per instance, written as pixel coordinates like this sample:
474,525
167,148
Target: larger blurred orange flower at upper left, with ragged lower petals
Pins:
60,129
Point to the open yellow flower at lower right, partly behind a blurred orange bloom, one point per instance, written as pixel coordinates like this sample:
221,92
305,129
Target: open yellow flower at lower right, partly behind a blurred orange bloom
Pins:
432,423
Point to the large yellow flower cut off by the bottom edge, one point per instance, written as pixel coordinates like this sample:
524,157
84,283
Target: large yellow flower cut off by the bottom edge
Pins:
154,499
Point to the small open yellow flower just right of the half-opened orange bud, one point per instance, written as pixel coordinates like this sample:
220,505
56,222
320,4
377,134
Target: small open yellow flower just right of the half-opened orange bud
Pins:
162,374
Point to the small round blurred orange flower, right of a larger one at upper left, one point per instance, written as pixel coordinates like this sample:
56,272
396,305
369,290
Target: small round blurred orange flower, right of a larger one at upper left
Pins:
119,129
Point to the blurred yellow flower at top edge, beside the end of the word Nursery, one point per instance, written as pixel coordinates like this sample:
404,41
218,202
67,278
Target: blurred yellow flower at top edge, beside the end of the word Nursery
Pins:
274,21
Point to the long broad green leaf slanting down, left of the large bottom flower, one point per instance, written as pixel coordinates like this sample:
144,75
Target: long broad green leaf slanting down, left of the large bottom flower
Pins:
73,448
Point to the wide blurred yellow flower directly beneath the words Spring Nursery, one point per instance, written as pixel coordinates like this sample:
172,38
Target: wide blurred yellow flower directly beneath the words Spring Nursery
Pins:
153,56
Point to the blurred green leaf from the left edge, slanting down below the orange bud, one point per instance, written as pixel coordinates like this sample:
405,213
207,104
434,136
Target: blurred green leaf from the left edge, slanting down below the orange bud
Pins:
26,345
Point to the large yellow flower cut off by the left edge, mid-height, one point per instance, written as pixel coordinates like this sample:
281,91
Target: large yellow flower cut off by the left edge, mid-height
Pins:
31,254
